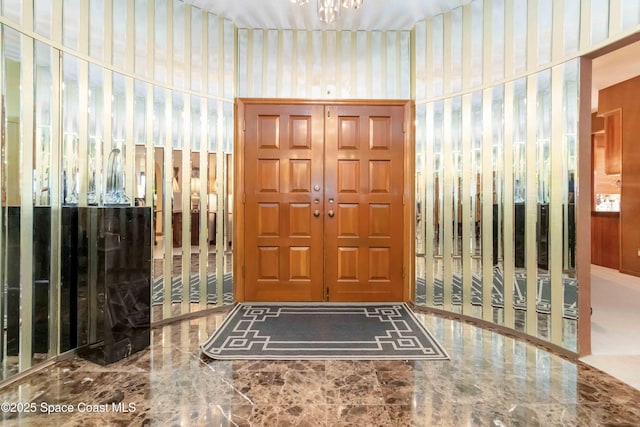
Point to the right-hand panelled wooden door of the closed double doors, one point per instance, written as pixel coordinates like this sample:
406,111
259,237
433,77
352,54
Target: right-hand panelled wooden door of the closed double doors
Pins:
364,172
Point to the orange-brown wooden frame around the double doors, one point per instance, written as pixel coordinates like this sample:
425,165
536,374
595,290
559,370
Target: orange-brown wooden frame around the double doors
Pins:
408,199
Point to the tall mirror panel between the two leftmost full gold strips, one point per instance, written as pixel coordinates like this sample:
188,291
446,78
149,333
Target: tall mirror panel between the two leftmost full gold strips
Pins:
42,201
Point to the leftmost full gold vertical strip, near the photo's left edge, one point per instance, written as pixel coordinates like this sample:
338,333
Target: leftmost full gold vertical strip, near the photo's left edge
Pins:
26,195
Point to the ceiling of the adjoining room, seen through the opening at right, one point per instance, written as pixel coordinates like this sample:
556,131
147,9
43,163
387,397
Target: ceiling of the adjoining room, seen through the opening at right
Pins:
614,67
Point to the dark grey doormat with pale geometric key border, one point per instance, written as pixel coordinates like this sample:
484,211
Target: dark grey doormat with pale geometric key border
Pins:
330,331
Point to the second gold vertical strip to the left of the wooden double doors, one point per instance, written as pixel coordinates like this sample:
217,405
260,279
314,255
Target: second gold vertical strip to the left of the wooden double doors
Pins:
204,203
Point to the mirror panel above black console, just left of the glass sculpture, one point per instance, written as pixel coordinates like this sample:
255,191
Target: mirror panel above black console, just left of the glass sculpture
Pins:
96,134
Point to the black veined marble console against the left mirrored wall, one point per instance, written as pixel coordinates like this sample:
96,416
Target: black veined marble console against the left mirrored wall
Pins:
110,280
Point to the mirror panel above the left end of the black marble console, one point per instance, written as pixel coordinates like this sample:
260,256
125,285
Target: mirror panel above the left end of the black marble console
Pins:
70,130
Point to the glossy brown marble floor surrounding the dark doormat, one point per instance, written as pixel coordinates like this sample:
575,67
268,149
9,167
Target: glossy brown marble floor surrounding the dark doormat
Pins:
490,380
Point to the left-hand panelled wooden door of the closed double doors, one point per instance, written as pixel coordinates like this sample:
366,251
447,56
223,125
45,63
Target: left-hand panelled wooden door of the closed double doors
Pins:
283,238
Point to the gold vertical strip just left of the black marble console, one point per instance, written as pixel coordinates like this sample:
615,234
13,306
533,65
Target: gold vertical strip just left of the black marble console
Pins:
56,217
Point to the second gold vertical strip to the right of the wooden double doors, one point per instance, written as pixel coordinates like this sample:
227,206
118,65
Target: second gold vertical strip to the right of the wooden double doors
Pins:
447,218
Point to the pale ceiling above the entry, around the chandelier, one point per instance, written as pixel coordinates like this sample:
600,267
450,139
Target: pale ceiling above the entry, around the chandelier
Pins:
283,14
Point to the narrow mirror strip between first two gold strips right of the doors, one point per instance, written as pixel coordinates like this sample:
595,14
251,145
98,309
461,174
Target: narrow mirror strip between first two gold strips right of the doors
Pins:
438,205
